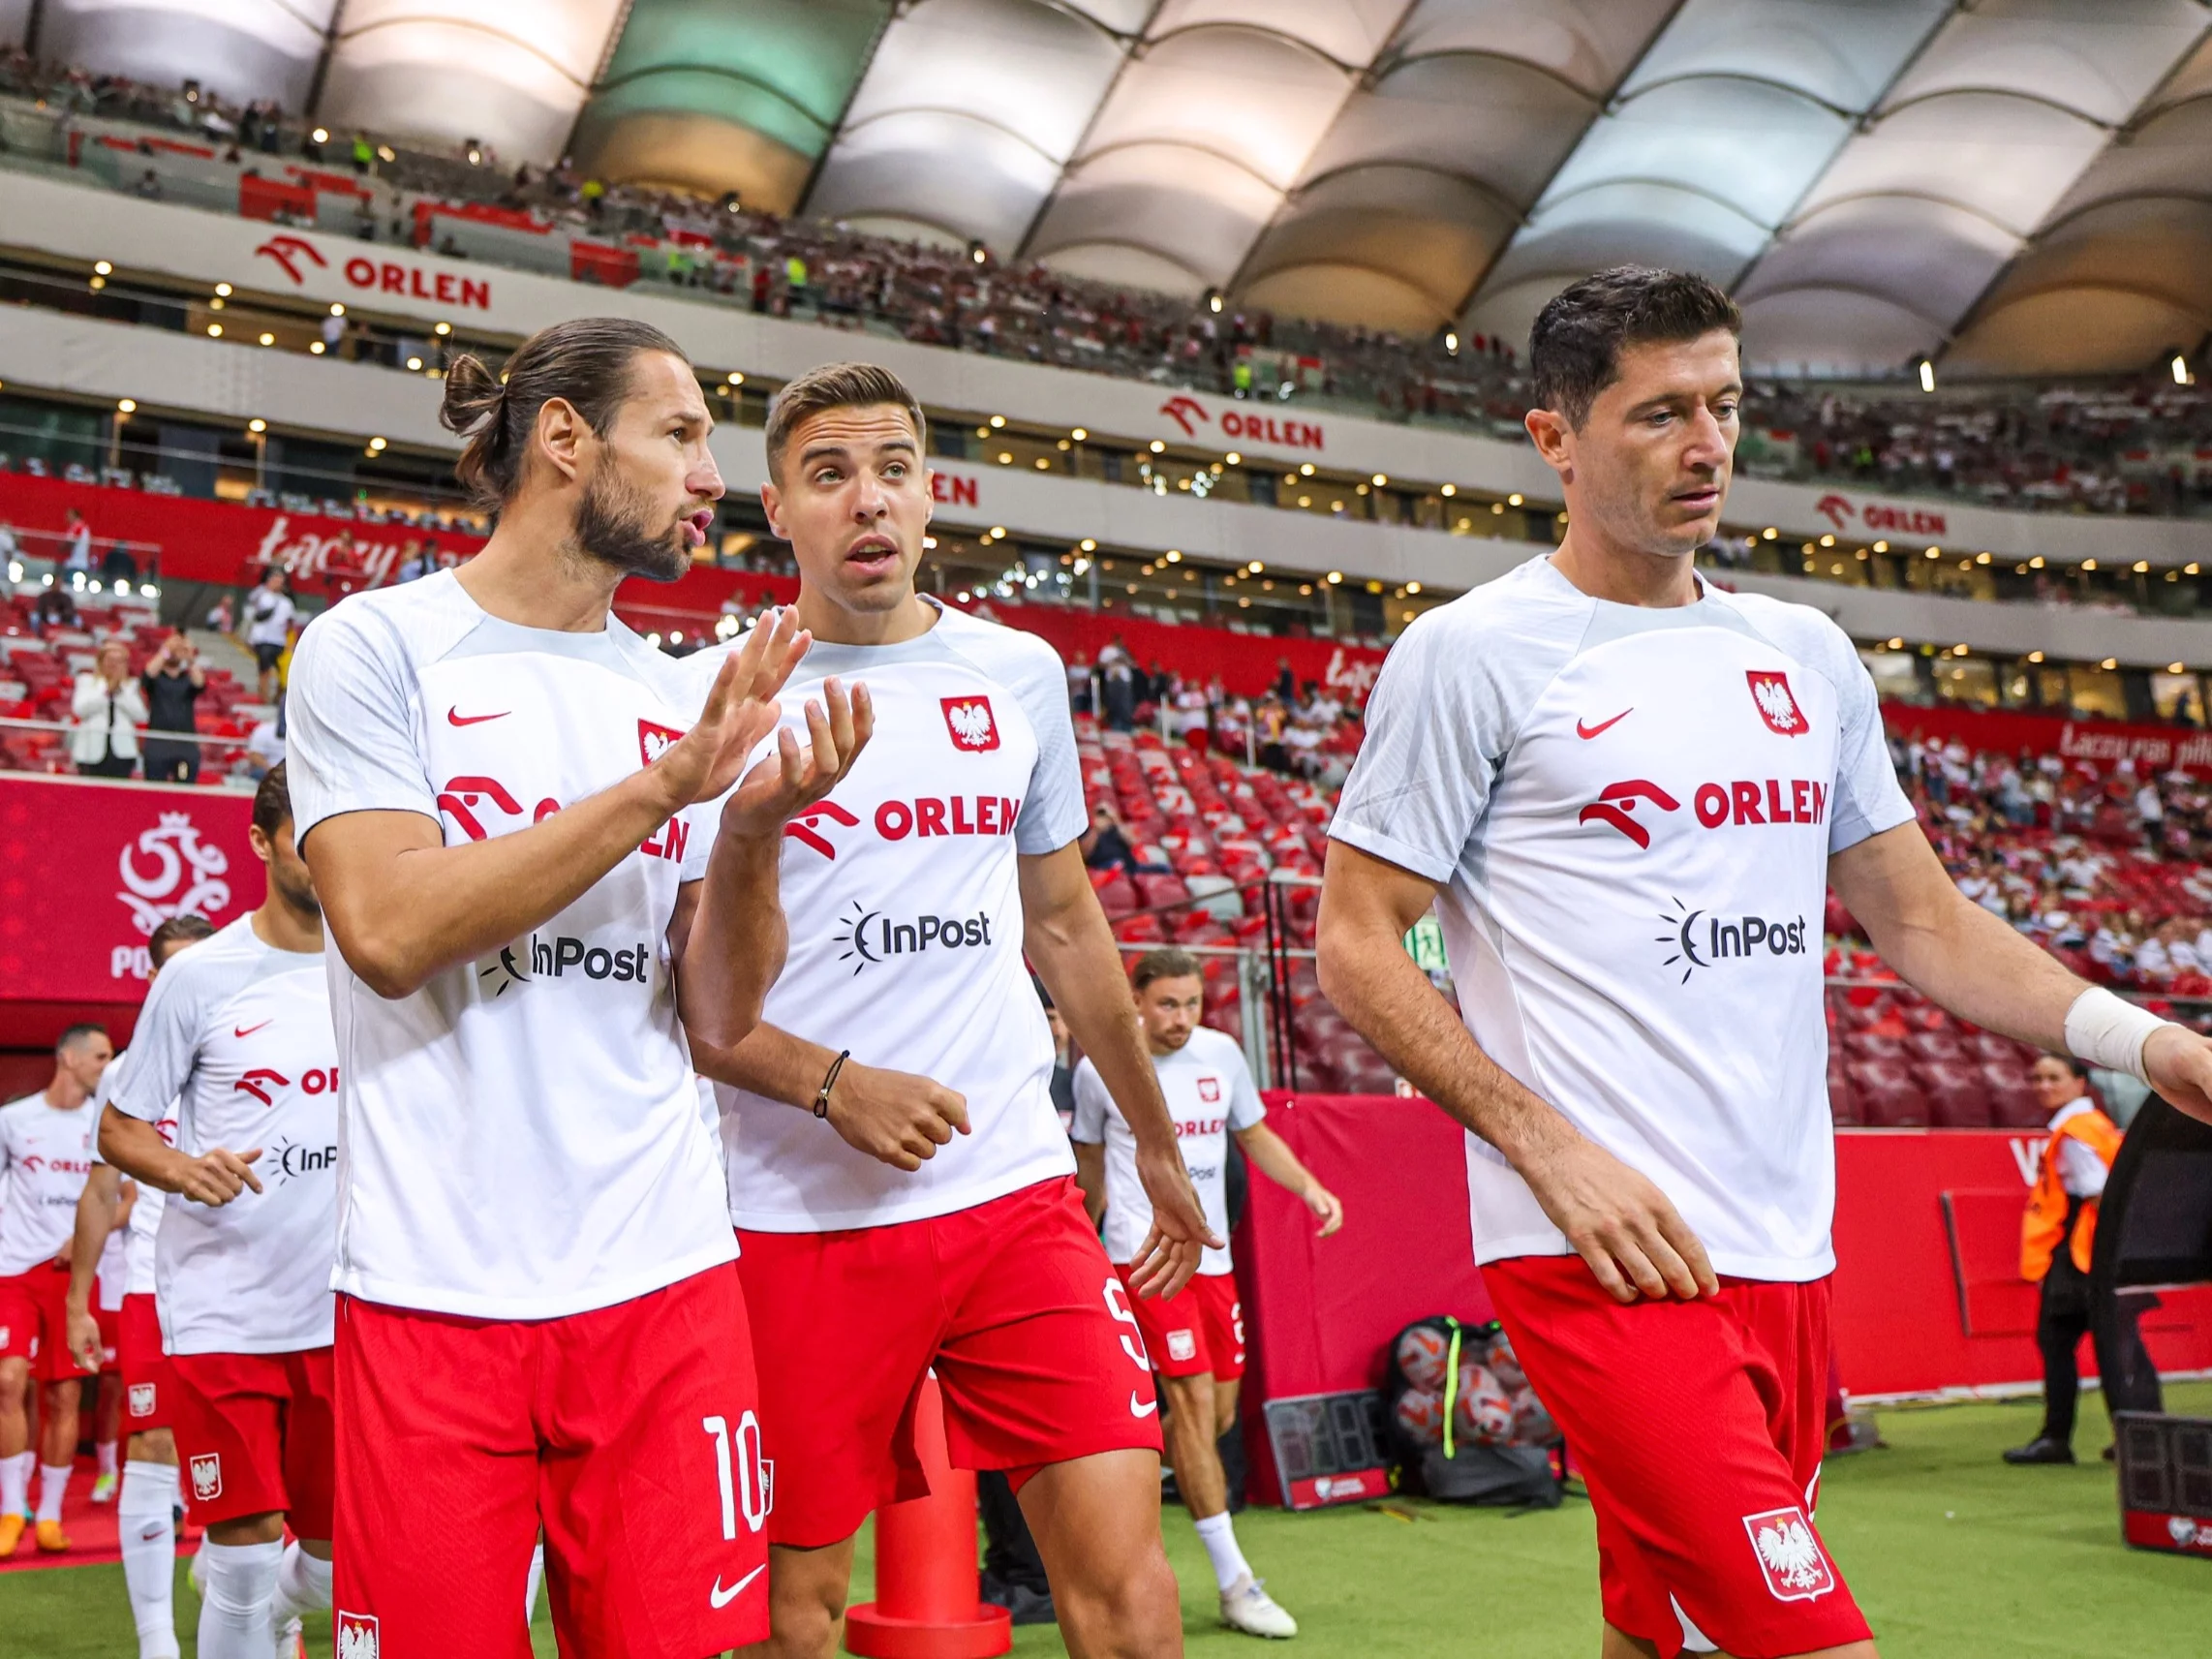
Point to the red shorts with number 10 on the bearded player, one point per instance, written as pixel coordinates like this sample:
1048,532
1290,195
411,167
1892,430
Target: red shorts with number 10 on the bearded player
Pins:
629,1432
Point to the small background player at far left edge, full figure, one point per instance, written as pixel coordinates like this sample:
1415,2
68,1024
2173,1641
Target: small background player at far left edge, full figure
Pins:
45,1156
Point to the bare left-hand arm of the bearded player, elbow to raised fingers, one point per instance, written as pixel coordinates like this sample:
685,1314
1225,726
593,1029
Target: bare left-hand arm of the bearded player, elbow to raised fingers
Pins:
404,906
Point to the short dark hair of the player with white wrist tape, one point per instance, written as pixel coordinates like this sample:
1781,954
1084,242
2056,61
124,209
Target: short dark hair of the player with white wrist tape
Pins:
1578,337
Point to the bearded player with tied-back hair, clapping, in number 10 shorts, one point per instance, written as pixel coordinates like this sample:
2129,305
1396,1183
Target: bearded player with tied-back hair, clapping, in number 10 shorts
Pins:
539,1319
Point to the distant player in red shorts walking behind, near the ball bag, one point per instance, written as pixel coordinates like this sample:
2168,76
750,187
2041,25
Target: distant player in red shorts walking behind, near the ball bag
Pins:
1196,1337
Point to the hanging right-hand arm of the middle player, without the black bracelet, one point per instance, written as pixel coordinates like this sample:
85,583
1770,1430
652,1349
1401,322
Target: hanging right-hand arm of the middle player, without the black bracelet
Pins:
1072,946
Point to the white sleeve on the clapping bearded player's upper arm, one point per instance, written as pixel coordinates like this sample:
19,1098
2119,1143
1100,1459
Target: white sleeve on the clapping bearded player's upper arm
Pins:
353,740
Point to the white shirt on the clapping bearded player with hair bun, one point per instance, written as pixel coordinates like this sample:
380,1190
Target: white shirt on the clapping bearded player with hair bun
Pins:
521,1138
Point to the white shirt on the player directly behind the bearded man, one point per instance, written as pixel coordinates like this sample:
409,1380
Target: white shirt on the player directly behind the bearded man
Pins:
236,1047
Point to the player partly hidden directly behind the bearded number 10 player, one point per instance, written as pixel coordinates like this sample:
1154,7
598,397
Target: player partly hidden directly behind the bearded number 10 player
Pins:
236,1045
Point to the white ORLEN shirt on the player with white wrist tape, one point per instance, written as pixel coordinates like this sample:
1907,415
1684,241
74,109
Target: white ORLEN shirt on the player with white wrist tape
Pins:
1631,815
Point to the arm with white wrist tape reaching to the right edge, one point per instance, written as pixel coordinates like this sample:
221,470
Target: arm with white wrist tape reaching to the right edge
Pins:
1979,968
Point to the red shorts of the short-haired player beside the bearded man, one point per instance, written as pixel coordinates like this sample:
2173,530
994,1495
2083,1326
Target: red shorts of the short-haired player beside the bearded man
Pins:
1012,1304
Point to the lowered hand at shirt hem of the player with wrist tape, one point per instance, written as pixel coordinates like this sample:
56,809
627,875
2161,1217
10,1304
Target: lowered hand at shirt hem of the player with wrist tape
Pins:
1620,1222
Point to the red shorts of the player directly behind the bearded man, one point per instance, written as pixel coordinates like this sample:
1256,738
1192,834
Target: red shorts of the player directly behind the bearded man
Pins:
255,1434
